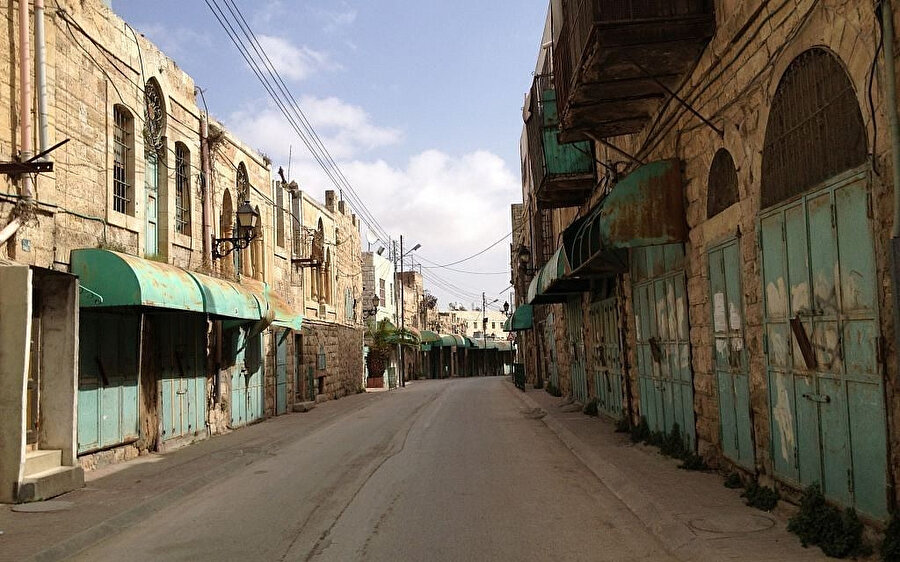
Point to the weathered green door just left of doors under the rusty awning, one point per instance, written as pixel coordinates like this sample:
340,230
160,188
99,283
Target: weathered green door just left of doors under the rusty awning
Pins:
607,353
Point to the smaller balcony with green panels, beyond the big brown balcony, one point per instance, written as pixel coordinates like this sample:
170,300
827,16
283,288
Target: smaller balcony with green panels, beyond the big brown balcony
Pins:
563,175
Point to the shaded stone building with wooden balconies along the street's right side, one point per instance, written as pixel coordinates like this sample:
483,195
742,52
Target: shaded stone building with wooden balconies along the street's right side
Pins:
723,262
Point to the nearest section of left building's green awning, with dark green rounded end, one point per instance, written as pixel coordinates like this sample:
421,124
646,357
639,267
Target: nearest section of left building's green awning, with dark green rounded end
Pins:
123,280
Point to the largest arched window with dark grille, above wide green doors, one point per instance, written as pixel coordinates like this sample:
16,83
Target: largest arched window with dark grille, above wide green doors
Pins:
815,128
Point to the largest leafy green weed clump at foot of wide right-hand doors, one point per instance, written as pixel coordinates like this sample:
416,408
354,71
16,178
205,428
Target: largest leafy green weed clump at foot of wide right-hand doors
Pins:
837,532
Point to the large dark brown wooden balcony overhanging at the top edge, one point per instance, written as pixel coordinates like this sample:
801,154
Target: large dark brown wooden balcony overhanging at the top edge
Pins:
610,57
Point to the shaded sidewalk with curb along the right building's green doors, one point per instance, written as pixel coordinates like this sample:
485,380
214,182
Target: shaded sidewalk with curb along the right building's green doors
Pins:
692,513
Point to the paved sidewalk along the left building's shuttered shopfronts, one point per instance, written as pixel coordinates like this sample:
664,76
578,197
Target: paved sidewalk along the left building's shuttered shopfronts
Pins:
121,495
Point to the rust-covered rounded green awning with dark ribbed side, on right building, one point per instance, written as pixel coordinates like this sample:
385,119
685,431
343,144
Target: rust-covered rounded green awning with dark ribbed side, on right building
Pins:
646,208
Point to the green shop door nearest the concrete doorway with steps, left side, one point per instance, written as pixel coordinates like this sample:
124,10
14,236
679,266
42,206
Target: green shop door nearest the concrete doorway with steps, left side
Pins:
107,380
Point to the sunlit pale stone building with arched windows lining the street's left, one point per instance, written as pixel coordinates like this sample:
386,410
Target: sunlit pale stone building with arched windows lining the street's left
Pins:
123,302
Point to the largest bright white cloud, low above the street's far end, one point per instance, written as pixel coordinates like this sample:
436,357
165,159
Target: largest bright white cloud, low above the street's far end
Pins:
452,204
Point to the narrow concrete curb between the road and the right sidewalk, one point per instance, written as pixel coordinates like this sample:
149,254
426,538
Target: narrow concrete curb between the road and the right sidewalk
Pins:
676,537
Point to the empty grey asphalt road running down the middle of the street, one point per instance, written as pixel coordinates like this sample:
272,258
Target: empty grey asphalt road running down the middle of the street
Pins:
441,470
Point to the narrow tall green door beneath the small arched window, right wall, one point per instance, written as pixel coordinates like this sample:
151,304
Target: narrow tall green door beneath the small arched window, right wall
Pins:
730,353
